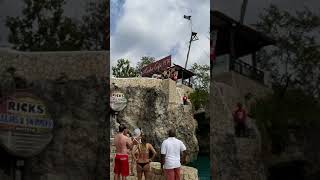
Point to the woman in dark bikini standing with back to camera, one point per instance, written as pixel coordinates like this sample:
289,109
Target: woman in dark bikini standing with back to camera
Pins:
142,158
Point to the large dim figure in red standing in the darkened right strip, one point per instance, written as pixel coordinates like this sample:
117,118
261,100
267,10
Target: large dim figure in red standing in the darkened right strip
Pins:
239,117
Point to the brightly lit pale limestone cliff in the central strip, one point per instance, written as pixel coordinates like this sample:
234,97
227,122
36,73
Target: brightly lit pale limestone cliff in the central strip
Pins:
155,106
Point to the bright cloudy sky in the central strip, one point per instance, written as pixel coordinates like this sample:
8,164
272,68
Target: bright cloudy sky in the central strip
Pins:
157,28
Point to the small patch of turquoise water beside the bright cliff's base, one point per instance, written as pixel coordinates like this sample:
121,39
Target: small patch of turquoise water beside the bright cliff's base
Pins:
203,165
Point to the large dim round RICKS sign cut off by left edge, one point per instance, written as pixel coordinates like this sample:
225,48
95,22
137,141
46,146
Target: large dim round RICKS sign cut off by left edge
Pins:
25,124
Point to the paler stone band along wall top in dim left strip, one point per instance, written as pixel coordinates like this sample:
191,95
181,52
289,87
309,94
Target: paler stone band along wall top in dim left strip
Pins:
50,65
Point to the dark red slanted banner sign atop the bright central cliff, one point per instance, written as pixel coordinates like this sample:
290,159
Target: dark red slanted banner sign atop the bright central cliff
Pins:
157,67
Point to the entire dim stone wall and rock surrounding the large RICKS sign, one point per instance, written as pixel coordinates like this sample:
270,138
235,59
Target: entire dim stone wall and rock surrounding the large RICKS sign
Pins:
78,106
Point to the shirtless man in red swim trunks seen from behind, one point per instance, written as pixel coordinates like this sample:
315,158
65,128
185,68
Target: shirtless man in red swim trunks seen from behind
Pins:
123,144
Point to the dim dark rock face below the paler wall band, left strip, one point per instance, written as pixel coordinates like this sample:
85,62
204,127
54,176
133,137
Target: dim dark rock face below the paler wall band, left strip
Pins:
78,149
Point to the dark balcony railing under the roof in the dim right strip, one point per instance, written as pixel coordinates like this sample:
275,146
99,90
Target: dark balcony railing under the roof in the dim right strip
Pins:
247,70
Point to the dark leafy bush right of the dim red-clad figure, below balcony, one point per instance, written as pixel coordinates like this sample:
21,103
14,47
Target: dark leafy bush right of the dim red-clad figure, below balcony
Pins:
276,116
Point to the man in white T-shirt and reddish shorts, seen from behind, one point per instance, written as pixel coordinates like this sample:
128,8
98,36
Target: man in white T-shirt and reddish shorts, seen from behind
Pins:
172,156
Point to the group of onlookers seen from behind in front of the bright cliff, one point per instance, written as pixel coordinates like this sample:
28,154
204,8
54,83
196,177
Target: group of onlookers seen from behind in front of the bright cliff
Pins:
172,154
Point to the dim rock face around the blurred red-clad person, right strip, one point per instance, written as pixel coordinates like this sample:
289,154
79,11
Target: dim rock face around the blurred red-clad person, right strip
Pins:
233,158
